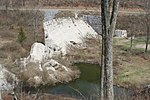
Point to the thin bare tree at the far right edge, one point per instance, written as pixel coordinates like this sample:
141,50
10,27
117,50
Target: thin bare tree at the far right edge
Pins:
147,18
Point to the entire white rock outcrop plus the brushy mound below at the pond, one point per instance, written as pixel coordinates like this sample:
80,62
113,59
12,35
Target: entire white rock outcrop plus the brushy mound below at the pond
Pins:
39,68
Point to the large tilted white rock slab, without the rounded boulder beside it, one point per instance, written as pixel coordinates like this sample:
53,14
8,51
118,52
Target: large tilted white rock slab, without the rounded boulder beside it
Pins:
63,31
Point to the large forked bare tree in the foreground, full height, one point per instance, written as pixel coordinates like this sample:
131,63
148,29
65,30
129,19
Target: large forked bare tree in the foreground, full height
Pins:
108,27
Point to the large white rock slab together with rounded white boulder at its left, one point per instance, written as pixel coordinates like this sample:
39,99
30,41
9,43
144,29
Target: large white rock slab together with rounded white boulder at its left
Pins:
59,33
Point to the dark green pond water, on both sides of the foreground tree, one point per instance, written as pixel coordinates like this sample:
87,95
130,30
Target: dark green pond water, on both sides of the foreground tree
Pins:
87,86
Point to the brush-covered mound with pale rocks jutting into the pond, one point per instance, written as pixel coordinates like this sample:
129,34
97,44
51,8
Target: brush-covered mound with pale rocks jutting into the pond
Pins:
52,72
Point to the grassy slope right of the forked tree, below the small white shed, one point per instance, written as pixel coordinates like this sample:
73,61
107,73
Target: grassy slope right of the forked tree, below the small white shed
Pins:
133,69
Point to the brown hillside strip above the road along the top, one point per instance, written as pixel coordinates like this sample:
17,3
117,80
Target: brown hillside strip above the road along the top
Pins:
69,3
